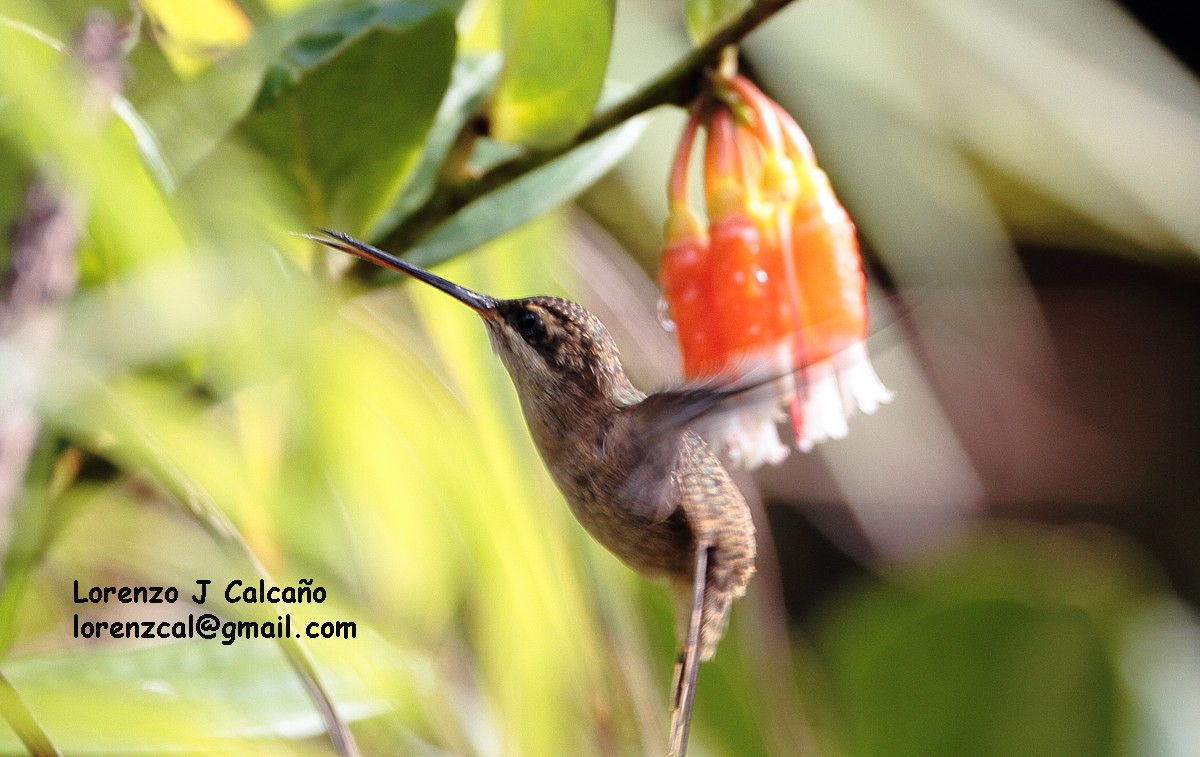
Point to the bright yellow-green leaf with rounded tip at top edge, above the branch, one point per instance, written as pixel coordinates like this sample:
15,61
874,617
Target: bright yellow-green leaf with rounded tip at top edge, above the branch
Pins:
556,56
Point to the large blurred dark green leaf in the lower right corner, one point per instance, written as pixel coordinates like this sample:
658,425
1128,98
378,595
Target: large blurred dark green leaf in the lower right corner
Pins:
1009,650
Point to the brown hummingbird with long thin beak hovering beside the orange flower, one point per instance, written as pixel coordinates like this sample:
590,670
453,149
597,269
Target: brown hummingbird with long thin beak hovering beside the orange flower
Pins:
634,474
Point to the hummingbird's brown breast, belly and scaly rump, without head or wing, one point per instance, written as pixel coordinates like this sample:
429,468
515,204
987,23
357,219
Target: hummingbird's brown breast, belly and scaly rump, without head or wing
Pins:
605,480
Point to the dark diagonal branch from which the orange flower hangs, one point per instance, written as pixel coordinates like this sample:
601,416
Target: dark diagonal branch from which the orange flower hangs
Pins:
677,86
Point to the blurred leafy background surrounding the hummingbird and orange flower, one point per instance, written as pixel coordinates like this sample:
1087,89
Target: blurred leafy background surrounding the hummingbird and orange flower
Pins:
1001,563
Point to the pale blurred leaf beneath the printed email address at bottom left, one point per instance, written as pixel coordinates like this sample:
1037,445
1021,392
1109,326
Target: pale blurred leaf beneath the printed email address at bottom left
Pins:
193,696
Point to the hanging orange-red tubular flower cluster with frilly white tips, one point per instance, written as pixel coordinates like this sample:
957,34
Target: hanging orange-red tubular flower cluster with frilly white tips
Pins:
773,298
